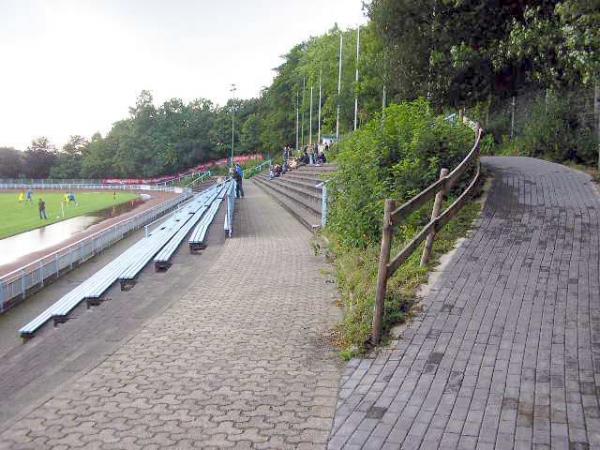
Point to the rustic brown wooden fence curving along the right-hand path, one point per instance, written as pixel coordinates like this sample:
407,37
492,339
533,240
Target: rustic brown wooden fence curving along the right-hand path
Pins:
393,216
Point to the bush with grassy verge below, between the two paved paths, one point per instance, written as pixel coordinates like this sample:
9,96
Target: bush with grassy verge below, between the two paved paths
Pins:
395,159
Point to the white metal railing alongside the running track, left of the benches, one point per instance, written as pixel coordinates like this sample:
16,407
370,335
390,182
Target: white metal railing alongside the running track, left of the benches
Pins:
17,284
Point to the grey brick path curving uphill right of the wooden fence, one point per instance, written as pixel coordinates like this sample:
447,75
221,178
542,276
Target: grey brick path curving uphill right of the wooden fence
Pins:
506,353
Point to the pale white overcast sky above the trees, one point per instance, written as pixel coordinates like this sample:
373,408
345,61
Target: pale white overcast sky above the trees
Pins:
76,66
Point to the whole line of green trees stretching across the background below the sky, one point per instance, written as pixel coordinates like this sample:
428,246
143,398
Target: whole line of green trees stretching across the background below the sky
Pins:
455,53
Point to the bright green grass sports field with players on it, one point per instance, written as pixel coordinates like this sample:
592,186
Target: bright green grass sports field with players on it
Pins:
19,217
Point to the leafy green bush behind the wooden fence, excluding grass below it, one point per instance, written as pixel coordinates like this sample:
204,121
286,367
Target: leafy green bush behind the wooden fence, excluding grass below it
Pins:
395,158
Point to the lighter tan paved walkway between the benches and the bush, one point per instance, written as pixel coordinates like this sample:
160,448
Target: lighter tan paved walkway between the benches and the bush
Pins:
241,360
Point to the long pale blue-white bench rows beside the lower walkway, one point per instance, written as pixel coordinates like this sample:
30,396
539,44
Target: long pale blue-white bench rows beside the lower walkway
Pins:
160,244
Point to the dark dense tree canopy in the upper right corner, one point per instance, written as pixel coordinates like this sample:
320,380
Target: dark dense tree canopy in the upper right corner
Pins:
459,52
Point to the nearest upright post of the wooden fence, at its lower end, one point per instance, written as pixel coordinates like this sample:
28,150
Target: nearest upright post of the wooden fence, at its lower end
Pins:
382,275
